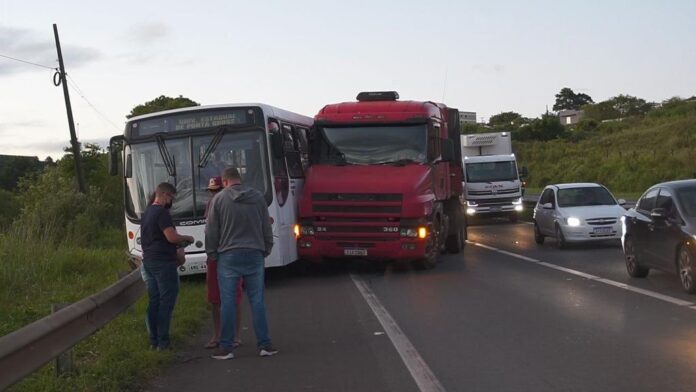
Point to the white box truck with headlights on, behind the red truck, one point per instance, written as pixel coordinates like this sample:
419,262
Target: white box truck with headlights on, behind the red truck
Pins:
492,184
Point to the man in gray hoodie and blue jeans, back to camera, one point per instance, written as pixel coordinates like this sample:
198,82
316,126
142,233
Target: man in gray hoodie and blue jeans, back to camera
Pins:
238,235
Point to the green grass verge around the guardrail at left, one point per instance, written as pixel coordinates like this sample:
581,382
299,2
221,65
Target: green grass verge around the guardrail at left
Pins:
117,357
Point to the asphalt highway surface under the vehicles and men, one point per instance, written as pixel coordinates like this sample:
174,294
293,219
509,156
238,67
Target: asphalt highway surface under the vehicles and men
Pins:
504,315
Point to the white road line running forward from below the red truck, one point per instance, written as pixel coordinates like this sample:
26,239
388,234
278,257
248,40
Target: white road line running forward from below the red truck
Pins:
420,371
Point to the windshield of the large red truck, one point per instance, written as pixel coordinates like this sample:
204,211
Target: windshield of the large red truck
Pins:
370,145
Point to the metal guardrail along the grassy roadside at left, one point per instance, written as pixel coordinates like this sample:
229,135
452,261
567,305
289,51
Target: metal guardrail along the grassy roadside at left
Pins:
24,351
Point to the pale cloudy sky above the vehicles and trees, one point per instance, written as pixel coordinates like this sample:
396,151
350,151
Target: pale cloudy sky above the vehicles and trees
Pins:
487,57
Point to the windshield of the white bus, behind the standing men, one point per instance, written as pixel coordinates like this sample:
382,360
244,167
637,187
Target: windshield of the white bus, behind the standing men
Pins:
243,150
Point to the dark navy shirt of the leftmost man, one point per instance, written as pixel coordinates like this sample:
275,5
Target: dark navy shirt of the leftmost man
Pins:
155,245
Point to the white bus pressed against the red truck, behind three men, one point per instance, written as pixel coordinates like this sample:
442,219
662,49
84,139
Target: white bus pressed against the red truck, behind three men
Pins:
186,147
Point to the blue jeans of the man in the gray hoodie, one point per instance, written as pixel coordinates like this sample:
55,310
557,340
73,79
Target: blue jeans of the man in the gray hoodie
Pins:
247,264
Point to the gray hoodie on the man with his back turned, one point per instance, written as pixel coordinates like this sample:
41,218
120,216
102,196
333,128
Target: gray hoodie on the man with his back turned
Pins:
238,219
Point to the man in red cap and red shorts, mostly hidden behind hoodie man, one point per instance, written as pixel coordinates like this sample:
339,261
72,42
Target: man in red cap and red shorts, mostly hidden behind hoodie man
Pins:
213,289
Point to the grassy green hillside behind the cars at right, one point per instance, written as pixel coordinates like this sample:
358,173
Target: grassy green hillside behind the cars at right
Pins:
627,155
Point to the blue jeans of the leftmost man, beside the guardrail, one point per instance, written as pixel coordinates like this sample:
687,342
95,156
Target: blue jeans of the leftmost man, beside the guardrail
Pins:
162,282
